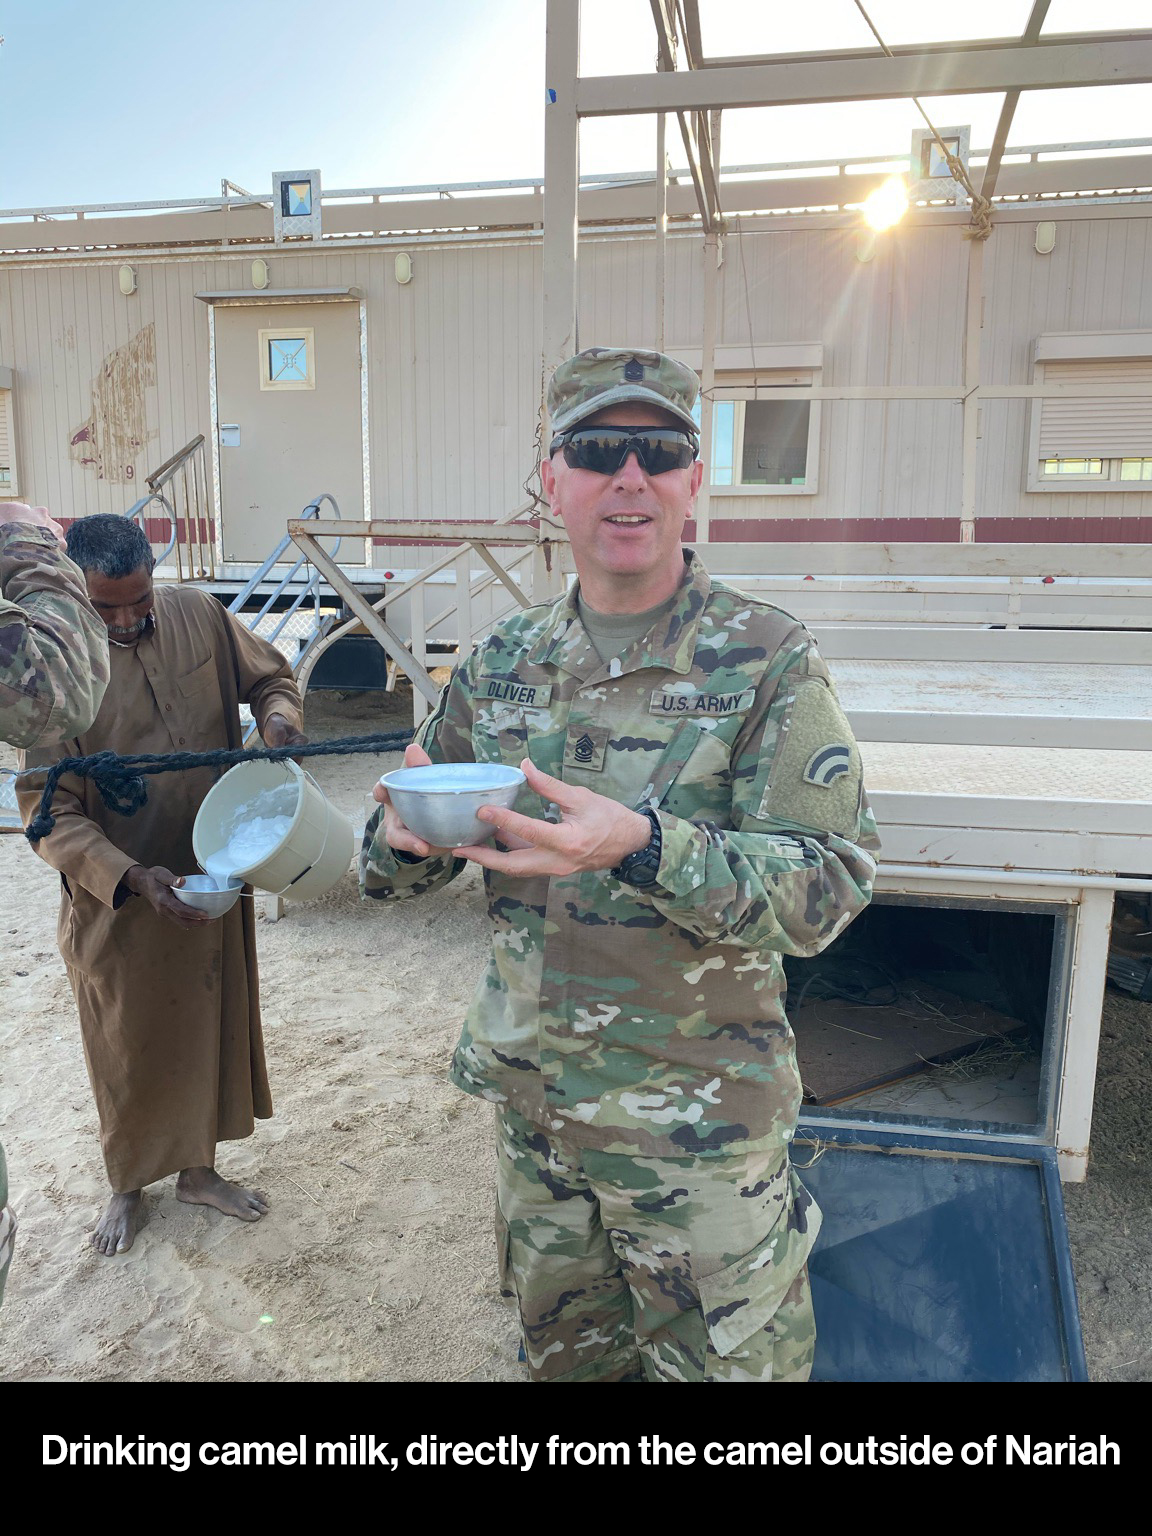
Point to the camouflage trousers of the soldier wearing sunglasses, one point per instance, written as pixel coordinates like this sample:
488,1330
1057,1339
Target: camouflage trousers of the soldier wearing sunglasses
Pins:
635,1268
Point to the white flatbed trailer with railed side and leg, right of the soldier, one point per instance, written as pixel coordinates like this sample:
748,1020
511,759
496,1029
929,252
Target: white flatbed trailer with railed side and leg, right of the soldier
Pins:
1013,766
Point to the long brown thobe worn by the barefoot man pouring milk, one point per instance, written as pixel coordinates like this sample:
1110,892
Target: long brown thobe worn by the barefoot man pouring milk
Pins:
170,1016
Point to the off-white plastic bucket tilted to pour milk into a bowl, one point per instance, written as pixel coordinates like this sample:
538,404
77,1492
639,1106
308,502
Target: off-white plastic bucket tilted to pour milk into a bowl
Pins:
313,856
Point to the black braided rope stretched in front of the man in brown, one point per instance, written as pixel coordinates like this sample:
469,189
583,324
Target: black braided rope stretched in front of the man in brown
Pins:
121,781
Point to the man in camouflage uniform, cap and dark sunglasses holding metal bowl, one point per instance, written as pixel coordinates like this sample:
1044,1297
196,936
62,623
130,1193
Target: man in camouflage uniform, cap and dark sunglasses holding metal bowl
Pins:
694,810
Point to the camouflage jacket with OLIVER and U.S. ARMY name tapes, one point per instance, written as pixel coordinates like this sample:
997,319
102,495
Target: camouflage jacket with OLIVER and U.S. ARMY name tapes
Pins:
652,1021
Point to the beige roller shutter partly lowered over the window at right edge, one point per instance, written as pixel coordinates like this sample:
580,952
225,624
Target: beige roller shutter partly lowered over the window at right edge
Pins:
1097,428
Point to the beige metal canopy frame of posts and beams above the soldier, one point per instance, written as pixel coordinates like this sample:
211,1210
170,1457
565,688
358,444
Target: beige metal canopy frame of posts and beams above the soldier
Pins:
697,88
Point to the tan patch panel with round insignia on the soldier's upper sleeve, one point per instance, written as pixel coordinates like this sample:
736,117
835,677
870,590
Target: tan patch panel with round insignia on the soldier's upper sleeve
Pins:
816,776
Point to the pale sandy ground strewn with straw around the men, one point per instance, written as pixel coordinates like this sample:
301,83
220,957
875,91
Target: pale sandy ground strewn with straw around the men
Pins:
377,1260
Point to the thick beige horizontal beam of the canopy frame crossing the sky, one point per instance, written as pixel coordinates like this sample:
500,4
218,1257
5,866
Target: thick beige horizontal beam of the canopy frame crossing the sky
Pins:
1044,67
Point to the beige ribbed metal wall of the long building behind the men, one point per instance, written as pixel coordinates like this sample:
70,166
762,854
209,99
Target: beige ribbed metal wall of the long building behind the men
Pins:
455,357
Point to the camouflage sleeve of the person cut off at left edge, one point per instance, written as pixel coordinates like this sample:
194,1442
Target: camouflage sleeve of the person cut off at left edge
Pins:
53,644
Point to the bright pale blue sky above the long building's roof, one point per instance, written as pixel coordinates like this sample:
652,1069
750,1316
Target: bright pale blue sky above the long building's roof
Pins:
131,101
